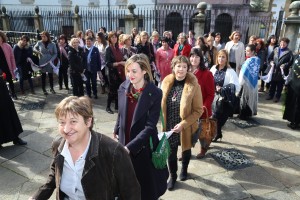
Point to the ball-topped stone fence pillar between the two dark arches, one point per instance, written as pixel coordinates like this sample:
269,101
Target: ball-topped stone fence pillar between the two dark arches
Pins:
199,20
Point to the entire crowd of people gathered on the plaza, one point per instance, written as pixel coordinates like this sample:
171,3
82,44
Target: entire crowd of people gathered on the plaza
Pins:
146,77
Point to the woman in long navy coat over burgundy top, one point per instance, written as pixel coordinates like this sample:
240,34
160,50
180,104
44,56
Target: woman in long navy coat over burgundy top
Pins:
139,108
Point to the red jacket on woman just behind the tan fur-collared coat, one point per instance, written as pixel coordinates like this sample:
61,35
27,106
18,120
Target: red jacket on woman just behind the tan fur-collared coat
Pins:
206,82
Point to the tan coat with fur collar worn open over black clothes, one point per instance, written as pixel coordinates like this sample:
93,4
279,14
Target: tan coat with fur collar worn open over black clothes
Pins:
190,106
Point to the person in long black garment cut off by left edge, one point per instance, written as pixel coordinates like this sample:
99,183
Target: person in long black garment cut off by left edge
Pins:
10,125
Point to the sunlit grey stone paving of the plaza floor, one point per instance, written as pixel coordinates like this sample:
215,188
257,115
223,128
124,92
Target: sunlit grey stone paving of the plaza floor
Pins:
272,146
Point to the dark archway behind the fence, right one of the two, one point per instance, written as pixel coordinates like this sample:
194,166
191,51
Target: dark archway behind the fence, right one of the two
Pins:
223,25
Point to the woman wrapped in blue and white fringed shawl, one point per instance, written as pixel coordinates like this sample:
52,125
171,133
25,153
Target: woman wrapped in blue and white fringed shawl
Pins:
248,79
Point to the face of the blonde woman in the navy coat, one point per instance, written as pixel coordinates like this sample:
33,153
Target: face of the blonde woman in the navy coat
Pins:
136,75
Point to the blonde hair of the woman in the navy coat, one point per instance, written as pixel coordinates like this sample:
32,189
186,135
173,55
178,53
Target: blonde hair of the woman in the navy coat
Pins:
143,62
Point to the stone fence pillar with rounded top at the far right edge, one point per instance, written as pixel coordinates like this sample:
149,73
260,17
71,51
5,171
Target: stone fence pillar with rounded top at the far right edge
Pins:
292,25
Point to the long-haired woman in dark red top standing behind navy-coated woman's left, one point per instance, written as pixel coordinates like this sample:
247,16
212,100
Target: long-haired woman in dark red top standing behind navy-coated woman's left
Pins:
115,63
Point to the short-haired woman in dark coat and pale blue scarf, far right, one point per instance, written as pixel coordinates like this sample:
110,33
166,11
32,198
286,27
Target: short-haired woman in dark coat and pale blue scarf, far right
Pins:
282,58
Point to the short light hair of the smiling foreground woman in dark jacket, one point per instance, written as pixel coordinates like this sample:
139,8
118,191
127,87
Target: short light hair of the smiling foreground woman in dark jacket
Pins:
77,106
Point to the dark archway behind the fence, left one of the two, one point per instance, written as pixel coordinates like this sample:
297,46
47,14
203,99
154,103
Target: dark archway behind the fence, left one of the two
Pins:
174,22
